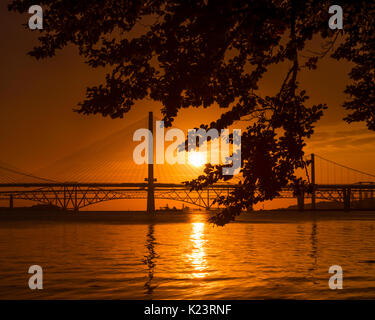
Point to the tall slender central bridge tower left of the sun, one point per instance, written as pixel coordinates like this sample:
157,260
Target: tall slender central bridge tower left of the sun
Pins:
150,179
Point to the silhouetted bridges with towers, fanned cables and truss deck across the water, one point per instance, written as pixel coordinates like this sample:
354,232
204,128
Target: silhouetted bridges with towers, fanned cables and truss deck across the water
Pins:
95,179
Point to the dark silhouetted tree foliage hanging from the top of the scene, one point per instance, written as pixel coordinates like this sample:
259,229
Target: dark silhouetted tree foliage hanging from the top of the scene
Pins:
191,53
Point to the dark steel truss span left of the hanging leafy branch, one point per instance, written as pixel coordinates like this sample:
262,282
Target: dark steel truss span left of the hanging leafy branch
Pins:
72,196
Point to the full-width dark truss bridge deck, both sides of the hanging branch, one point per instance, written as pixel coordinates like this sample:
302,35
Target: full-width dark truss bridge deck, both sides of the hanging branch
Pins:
75,196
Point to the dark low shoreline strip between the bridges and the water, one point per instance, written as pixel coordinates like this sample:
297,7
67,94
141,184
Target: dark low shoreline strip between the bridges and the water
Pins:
142,217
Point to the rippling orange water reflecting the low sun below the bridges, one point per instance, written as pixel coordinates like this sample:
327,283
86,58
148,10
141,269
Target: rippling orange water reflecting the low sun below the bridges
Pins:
187,260
